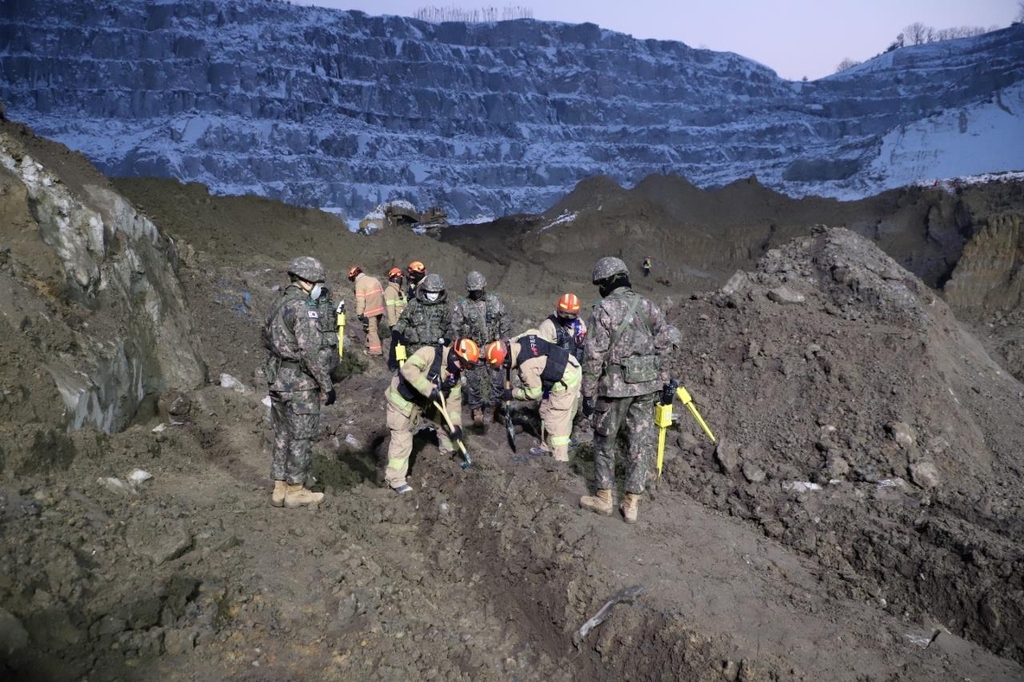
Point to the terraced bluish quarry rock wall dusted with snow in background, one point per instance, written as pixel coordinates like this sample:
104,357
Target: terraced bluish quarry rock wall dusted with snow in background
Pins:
345,111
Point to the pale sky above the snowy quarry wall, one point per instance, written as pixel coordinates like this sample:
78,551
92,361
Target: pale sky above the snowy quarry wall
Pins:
795,37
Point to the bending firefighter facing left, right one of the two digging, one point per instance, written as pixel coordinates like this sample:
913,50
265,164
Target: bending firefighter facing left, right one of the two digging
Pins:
549,374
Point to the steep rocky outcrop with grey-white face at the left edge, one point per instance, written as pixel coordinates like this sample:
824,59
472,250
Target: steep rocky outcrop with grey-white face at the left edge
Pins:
94,307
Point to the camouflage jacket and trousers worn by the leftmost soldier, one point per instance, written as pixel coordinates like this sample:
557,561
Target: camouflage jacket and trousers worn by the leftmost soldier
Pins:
298,369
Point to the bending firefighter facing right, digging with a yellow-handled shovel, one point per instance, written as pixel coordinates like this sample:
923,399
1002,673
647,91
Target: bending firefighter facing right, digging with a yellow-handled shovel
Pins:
415,392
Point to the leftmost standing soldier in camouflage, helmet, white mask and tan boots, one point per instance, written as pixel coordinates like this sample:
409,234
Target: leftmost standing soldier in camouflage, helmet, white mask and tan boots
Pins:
298,376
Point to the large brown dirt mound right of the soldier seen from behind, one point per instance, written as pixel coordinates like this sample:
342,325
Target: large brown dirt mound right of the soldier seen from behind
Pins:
864,428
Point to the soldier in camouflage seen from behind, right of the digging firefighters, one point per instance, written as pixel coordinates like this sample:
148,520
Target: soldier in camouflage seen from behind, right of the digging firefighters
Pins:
623,371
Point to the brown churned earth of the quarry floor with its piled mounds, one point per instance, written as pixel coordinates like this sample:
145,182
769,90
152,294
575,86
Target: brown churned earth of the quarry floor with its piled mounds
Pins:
861,518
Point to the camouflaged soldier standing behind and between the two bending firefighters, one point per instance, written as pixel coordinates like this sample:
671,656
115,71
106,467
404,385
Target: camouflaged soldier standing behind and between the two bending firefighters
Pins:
482,317
